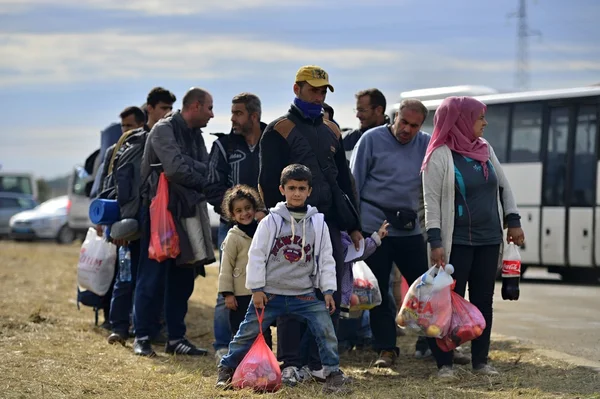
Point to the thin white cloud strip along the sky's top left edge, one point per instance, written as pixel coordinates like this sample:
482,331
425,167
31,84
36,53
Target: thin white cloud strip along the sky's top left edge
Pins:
152,7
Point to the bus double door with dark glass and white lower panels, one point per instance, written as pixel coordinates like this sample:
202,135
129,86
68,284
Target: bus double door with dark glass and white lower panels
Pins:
569,184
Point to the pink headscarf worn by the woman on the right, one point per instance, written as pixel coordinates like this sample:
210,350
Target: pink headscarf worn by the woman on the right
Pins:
453,126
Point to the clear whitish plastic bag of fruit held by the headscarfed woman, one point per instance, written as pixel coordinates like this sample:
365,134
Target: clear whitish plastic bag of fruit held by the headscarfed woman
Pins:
426,308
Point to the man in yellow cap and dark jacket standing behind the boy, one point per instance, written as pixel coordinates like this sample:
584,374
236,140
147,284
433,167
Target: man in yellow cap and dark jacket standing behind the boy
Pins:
303,136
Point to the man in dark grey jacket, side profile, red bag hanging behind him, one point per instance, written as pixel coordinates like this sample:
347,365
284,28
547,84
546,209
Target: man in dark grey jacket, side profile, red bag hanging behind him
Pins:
174,146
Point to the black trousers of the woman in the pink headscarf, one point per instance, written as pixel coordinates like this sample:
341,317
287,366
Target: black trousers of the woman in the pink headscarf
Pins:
476,265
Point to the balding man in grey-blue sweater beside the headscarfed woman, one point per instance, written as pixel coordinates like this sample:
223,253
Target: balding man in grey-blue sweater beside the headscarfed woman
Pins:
386,166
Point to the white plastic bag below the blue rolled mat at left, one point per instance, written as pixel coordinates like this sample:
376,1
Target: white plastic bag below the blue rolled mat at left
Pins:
96,267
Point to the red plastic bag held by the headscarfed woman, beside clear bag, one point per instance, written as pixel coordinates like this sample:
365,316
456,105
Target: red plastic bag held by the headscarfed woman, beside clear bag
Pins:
467,323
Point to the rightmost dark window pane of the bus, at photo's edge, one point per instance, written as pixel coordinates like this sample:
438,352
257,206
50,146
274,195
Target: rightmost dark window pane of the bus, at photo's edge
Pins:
584,162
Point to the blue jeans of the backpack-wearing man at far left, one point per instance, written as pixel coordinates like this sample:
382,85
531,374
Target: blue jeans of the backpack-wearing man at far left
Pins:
121,304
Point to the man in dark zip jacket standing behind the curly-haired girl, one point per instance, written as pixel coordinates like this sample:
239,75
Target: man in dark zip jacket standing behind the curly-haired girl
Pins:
233,160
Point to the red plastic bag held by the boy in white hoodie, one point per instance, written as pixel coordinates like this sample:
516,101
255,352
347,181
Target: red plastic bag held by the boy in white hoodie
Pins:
259,369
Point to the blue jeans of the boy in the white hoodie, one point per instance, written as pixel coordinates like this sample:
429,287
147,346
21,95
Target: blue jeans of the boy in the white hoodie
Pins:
305,306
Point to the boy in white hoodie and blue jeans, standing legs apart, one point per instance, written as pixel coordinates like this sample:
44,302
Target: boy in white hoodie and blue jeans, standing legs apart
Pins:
289,257
